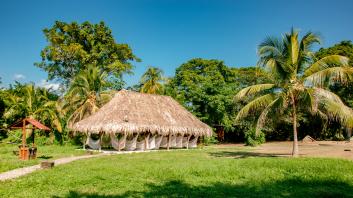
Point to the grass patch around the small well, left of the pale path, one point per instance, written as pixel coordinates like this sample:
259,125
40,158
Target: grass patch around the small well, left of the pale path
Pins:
9,161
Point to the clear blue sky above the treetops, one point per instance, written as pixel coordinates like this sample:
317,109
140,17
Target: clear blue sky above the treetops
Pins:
170,32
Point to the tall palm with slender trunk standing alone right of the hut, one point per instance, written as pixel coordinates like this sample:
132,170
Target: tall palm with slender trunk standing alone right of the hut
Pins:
300,83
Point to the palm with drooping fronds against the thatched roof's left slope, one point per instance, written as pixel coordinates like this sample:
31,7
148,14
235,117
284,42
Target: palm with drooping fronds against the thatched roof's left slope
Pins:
86,94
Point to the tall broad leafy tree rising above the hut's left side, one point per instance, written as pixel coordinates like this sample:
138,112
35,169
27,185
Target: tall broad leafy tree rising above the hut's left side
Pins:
72,47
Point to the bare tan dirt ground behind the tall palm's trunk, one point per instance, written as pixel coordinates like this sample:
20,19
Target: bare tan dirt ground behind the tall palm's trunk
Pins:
332,149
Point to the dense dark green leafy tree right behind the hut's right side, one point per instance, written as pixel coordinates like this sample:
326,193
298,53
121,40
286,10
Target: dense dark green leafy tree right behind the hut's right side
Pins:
205,87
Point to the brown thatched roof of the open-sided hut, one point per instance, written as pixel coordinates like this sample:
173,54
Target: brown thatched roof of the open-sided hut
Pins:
132,112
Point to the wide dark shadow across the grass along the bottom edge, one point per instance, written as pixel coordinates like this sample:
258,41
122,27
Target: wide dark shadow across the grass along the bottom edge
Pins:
286,188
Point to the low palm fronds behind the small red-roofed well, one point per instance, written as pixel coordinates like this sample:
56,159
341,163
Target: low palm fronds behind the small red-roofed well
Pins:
33,102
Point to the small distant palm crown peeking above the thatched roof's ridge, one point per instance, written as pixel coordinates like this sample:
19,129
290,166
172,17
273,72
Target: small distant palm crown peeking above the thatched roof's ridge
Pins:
151,81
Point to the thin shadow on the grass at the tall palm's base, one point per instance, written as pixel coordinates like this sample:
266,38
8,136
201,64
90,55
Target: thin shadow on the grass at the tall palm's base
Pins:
245,154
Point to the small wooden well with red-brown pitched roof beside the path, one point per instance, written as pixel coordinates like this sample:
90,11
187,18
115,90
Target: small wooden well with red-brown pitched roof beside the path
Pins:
25,153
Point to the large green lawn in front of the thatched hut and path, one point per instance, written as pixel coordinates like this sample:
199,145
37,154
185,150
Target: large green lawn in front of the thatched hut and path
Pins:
210,172
